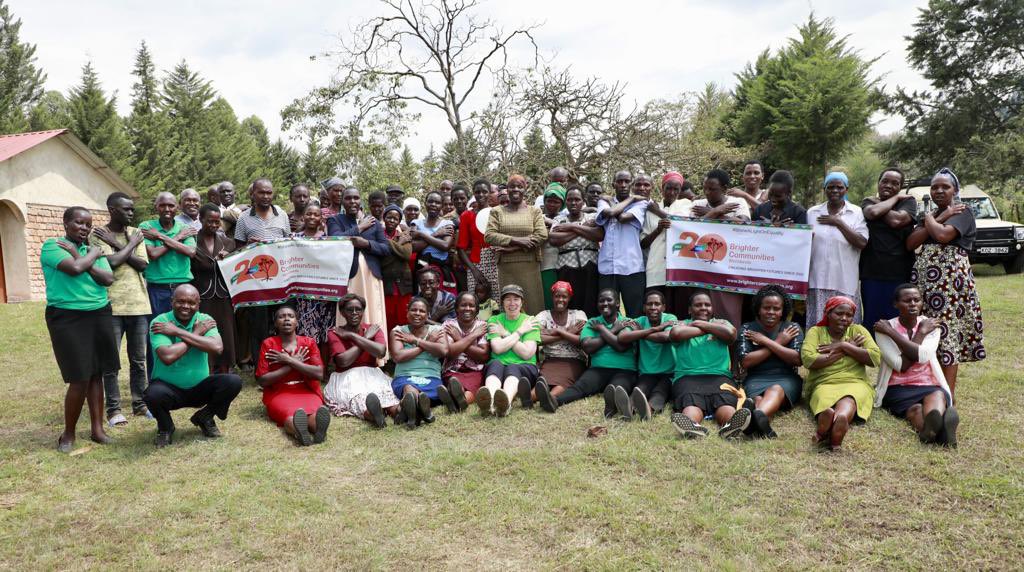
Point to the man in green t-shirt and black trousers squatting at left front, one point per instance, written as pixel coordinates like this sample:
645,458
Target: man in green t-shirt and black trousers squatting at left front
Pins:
182,341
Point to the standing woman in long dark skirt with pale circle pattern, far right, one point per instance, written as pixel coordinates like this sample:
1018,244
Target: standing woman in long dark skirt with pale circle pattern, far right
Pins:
944,274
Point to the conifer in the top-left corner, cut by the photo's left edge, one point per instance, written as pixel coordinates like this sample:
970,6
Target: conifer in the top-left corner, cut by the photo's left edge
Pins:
21,82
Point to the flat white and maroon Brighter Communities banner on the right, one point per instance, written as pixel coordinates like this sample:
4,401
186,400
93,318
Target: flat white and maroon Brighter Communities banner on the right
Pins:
738,257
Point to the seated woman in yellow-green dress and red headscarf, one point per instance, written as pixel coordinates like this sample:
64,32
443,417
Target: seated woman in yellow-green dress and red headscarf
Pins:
838,354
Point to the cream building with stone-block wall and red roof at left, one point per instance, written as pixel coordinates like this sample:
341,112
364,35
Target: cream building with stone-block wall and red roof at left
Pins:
41,174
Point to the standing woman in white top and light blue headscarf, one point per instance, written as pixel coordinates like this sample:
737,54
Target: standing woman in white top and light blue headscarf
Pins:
840,235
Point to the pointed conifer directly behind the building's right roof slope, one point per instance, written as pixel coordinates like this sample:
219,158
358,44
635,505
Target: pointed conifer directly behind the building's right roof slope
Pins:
94,118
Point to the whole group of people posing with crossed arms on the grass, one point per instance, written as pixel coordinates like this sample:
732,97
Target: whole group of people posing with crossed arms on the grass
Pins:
546,303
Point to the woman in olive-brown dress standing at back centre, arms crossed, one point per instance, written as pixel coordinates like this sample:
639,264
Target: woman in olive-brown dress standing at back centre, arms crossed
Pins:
518,232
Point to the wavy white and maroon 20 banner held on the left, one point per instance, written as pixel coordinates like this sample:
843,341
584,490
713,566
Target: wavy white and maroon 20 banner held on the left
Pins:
273,273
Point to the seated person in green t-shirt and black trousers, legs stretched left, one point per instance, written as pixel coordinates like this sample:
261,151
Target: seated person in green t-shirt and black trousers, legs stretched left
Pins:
613,364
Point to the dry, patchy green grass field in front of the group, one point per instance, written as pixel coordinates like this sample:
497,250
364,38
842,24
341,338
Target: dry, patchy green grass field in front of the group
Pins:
531,492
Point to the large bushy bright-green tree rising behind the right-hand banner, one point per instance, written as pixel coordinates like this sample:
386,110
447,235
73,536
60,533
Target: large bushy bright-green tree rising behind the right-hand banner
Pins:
807,105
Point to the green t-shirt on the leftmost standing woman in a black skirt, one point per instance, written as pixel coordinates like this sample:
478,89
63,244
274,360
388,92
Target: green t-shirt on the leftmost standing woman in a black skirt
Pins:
65,291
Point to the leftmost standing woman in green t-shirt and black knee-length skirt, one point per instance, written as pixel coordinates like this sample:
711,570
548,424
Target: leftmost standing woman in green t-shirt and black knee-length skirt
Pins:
78,318
